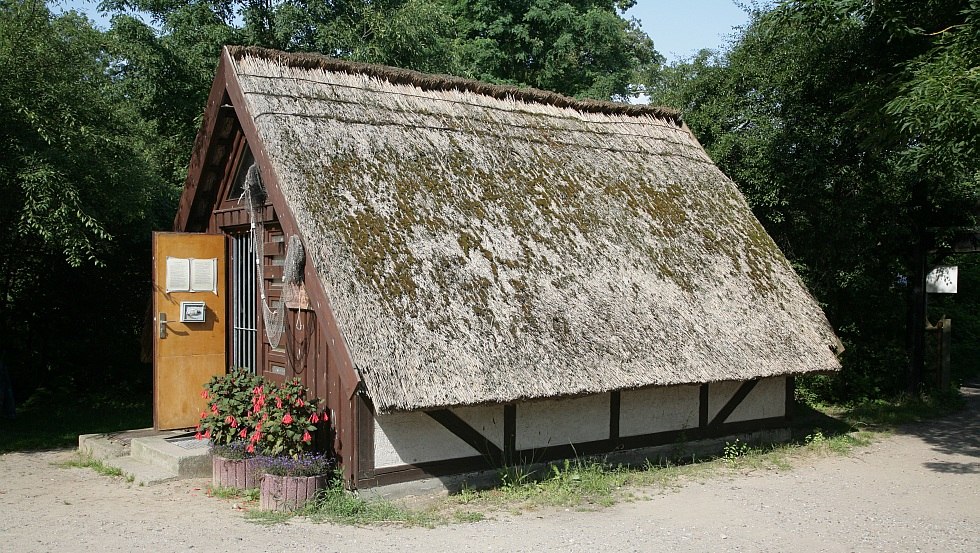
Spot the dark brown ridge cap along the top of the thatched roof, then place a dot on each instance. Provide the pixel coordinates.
(426, 81)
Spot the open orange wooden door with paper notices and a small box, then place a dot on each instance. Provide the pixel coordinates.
(186, 354)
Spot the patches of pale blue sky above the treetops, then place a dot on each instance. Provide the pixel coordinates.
(679, 28)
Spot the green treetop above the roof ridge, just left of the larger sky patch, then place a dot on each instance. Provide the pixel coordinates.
(580, 48)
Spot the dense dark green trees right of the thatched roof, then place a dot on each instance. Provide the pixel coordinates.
(851, 126)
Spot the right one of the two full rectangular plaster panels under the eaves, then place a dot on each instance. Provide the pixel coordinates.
(650, 410)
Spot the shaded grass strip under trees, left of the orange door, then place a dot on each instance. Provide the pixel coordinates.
(54, 420)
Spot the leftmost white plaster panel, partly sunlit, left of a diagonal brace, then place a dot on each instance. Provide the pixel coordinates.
(411, 438)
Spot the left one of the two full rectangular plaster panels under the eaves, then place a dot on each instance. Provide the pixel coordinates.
(562, 422)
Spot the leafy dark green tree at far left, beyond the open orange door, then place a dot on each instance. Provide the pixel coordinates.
(79, 192)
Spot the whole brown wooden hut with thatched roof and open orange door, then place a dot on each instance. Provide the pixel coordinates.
(491, 274)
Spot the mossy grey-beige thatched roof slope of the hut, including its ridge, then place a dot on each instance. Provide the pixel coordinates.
(487, 244)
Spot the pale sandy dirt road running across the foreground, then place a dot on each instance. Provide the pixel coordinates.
(918, 490)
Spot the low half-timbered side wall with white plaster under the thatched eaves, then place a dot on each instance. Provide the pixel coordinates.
(408, 446)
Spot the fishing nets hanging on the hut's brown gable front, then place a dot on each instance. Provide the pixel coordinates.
(274, 316)
